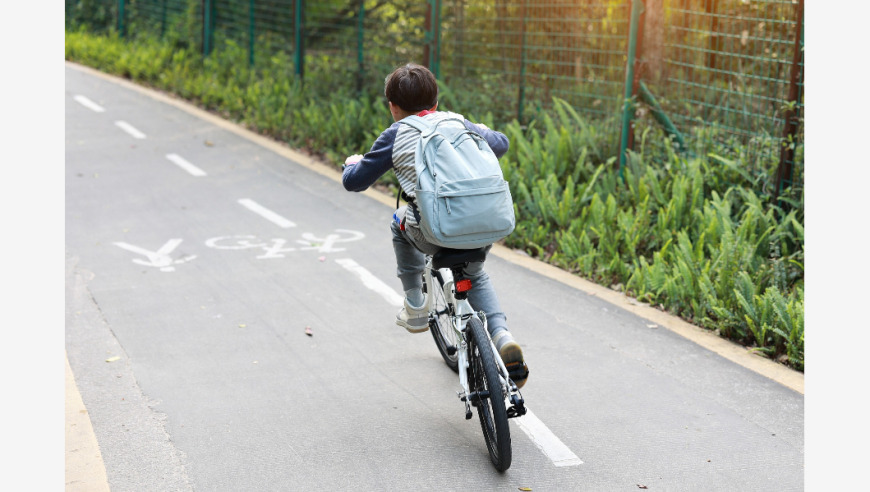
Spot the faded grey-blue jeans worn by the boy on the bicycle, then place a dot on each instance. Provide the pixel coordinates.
(410, 251)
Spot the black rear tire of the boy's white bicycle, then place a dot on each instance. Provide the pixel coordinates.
(483, 376)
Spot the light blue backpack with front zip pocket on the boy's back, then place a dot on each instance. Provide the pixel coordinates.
(463, 199)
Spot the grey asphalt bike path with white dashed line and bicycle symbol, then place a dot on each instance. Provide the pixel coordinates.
(230, 326)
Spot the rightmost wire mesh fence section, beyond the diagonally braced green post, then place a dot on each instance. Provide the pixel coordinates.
(736, 66)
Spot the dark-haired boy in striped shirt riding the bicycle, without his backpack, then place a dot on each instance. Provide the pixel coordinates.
(413, 90)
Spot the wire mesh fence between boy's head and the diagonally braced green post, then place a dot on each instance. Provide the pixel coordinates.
(524, 53)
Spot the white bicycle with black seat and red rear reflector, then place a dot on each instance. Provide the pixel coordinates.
(465, 344)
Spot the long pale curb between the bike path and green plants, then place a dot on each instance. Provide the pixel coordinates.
(735, 353)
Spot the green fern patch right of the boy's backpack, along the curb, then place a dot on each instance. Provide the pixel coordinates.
(699, 236)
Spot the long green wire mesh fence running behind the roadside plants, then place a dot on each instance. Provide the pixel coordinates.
(734, 67)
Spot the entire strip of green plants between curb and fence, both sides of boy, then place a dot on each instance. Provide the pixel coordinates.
(699, 234)
